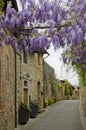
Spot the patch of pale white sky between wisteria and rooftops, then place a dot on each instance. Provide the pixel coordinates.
(55, 61)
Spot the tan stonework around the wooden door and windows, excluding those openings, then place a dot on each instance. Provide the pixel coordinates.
(32, 72)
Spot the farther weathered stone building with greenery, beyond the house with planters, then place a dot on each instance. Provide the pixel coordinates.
(51, 89)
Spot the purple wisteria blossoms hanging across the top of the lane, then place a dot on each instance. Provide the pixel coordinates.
(41, 23)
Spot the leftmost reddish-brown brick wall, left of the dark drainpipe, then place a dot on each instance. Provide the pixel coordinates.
(6, 89)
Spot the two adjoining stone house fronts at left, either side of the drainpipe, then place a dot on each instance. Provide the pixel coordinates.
(19, 81)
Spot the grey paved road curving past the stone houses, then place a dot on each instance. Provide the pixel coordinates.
(64, 115)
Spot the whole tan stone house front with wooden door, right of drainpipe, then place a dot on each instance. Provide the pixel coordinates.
(28, 76)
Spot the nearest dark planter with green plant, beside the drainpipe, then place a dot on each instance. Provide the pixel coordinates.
(24, 113)
